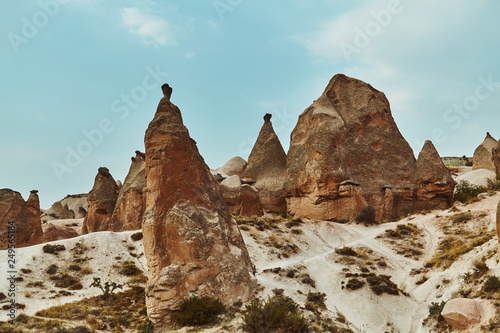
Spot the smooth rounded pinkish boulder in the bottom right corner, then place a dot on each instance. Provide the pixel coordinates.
(462, 313)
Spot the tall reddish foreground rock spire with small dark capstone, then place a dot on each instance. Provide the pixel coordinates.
(192, 244)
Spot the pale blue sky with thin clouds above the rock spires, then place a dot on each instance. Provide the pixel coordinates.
(80, 79)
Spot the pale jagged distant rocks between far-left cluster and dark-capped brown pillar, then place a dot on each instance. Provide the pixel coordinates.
(71, 207)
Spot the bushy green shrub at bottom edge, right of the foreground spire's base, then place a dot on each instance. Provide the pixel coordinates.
(277, 314)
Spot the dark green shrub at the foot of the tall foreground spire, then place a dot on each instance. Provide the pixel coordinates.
(196, 311)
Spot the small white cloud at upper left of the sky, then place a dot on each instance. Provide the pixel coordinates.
(153, 30)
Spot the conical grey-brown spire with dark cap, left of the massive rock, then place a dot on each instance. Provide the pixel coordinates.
(267, 165)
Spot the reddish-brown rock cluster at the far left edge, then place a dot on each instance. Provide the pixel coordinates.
(26, 218)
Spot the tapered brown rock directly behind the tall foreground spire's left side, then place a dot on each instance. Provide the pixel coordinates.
(130, 205)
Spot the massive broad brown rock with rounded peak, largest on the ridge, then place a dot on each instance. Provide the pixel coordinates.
(348, 133)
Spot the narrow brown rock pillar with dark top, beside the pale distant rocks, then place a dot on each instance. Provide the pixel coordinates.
(101, 202)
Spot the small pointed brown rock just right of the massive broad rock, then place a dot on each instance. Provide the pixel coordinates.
(434, 182)
